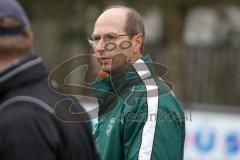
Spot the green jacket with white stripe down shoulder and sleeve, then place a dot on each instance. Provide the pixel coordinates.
(139, 116)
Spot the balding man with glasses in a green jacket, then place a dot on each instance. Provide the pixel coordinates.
(139, 116)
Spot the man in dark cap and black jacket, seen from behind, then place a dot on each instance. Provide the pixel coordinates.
(29, 128)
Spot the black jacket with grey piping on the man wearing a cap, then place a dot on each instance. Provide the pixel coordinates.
(29, 129)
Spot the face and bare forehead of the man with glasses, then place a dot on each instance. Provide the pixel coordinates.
(114, 52)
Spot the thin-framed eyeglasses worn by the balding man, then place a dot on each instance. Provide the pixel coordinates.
(93, 40)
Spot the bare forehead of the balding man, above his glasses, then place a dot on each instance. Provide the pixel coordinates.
(111, 21)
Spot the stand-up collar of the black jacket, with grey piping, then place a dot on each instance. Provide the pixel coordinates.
(27, 69)
